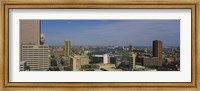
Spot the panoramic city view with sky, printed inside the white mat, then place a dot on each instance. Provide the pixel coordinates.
(37, 55)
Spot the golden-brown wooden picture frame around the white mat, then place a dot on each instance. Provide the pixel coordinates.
(193, 85)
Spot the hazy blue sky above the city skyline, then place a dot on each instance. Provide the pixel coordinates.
(111, 32)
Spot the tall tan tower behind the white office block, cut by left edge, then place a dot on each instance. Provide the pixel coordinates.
(29, 33)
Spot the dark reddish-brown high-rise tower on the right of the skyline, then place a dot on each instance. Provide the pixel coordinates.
(157, 50)
